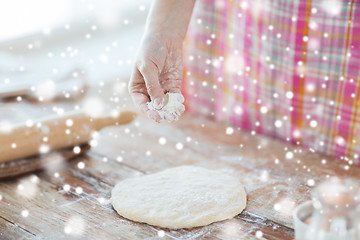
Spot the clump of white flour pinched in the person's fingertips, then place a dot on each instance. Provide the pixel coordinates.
(172, 109)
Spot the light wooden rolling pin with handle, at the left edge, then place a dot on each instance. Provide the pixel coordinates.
(54, 133)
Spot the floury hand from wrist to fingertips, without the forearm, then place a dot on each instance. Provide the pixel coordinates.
(158, 70)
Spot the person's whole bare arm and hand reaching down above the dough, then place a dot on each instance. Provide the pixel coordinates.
(158, 66)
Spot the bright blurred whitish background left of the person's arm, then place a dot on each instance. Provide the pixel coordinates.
(43, 40)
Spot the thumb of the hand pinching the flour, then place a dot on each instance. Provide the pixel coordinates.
(150, 74)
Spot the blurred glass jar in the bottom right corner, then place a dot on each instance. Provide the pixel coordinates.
(336, 213)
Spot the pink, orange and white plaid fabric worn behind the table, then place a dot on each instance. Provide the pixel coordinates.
(289, 69)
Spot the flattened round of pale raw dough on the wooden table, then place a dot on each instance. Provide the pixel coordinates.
(181, 197)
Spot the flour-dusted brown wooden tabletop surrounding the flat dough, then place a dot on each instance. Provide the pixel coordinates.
(71, 200)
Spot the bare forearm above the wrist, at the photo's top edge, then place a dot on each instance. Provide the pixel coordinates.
(170, 16)
